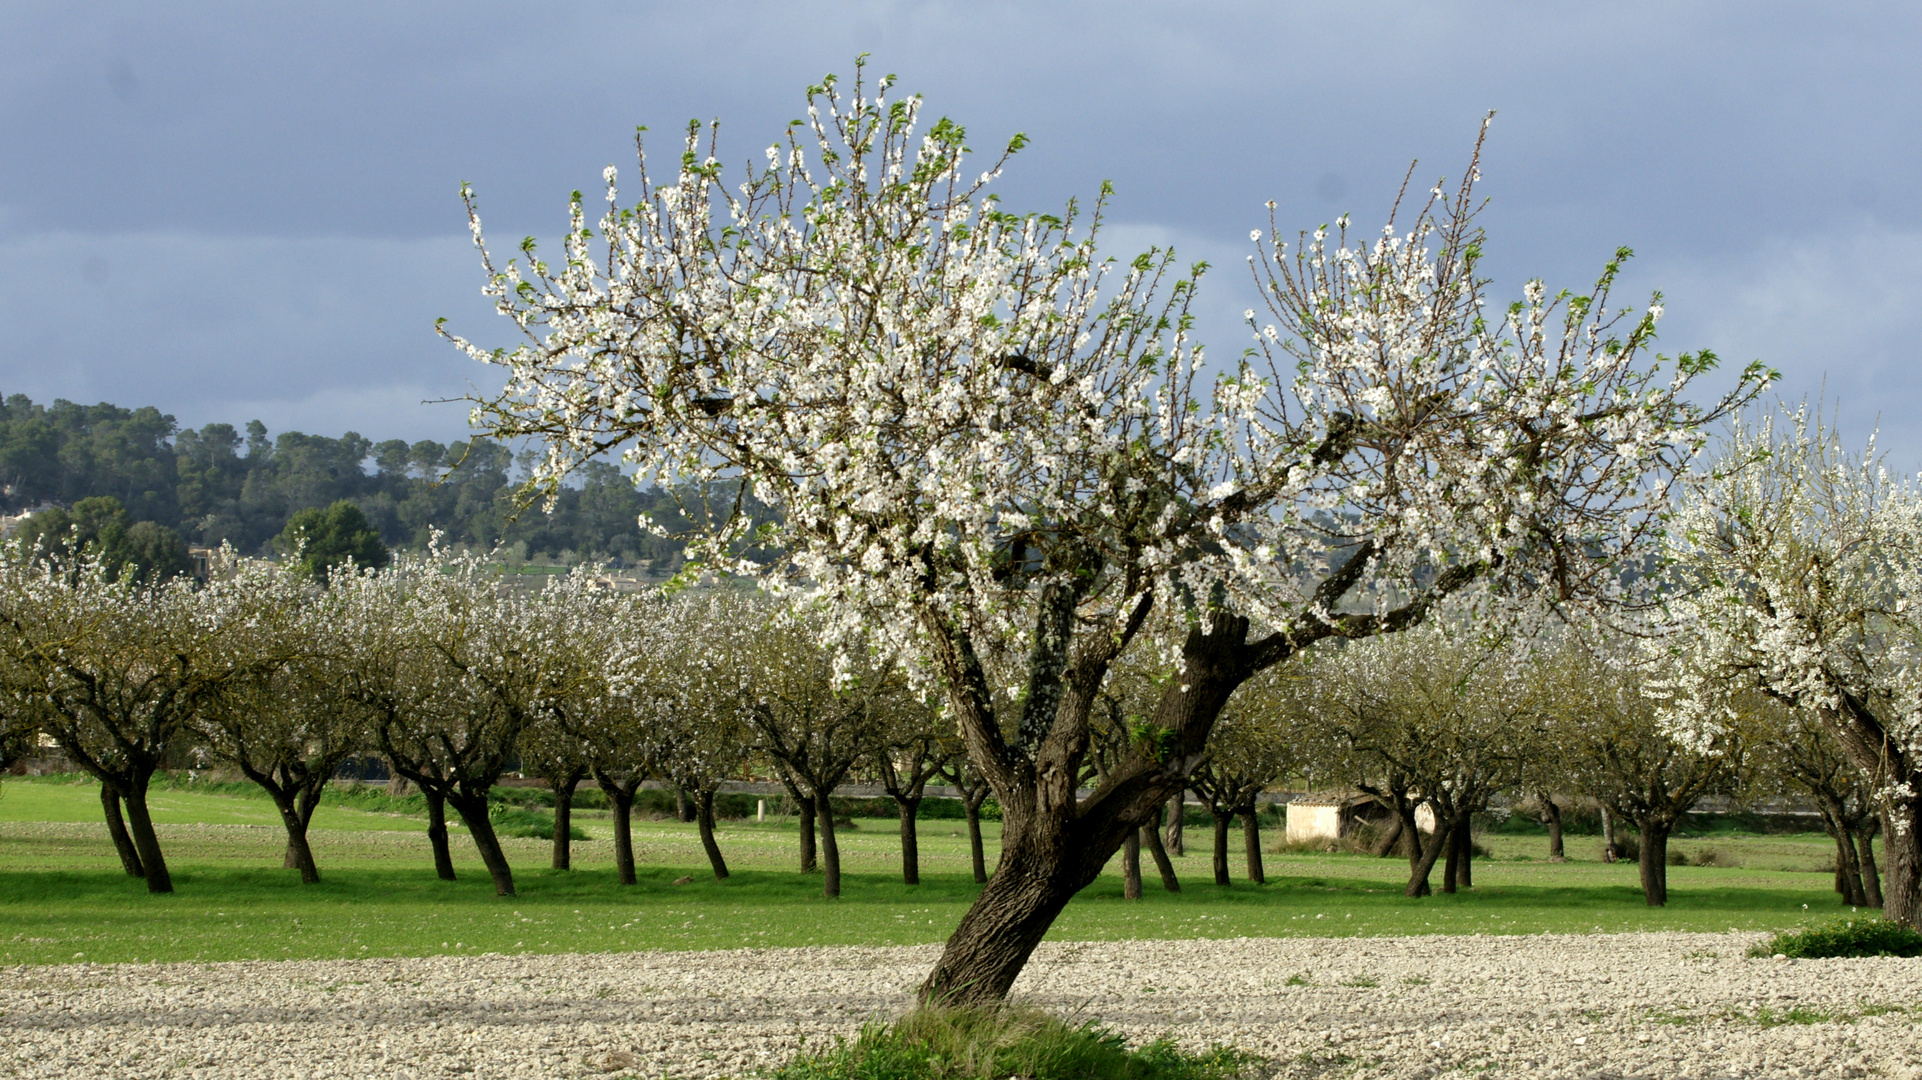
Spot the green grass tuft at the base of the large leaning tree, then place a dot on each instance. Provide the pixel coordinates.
(997, 1043)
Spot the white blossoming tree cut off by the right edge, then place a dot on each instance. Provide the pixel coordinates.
(1804, 579)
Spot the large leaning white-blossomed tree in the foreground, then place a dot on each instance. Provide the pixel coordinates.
(998, 453)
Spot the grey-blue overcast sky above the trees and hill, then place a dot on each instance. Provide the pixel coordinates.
(249, 210)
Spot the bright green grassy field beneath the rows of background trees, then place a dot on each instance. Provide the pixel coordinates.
(64, 898)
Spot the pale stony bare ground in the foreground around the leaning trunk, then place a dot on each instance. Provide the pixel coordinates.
(1546, 1006)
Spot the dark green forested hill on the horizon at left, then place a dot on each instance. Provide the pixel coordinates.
(220, 483)
